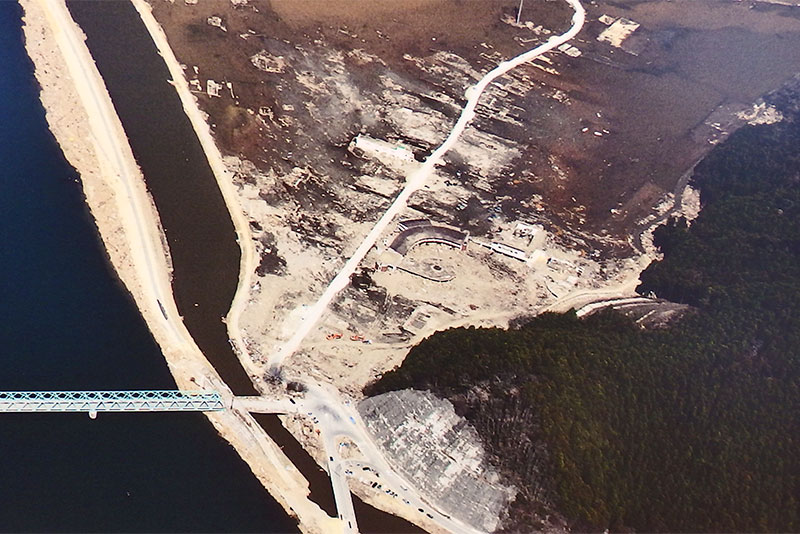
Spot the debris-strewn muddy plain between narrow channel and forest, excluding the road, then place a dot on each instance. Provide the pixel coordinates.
(586, 146)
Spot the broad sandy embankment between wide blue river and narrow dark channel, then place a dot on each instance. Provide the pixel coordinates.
(83, 121)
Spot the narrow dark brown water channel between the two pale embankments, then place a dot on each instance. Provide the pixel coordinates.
(199, 231)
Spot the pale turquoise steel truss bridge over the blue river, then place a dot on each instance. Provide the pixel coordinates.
(93, 402)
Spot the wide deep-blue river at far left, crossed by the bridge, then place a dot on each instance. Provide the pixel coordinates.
(67, 323)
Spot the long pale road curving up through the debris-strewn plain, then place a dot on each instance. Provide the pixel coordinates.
(416, 181)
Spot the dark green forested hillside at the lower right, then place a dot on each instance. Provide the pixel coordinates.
(692, 428)
